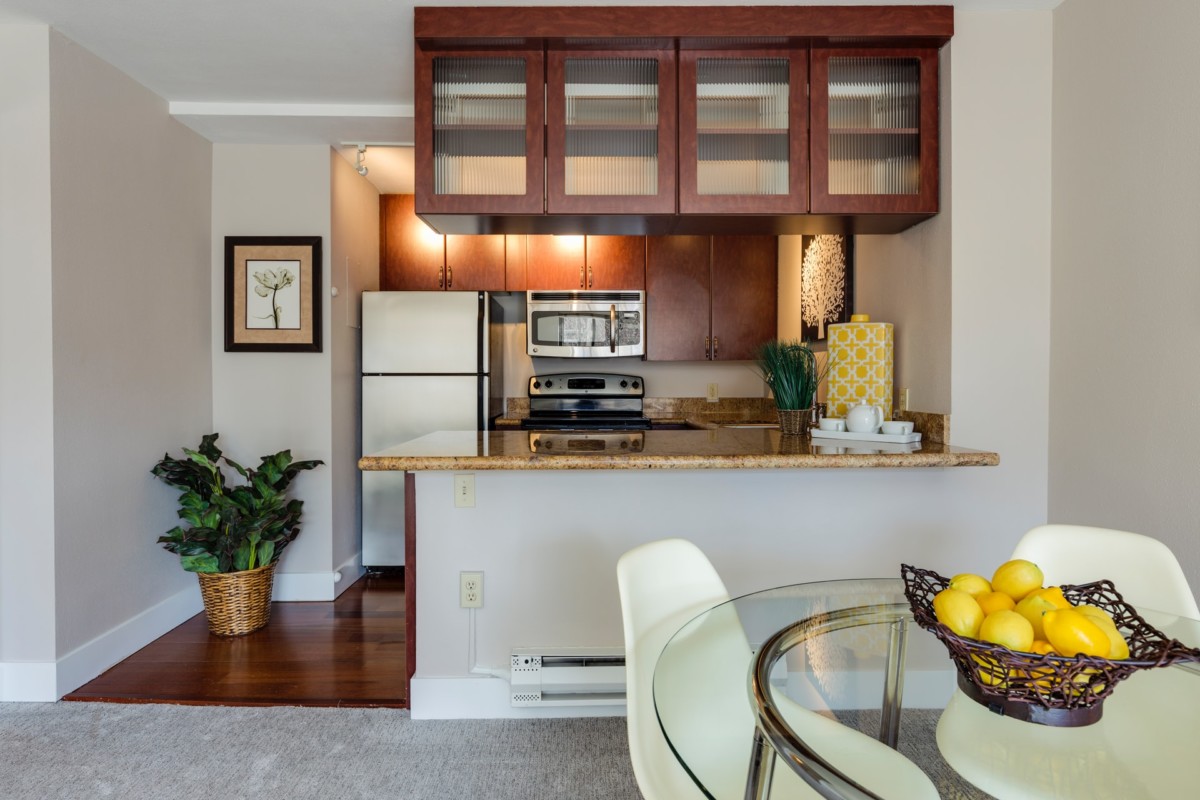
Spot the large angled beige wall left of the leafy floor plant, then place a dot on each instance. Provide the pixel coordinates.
(131, 334)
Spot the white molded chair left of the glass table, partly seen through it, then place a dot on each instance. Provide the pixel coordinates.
(665, 585)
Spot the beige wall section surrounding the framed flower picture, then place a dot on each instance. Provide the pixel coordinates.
(265, 402)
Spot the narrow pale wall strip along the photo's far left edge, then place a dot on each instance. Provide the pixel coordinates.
(27, 381)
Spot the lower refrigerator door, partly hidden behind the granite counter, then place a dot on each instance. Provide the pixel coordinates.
(395, 410)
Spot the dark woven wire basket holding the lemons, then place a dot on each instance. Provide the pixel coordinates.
(1046, 689)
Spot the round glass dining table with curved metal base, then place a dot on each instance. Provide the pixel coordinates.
(758, 695)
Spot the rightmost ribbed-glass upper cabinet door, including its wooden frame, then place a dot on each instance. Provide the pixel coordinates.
(874, 131)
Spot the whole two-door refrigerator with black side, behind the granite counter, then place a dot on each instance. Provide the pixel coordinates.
(431, 362)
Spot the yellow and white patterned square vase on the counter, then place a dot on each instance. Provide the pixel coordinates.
(861, 354)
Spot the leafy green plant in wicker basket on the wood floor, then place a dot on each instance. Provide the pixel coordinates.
(236, 533)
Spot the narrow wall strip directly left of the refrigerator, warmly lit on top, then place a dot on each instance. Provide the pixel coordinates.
(355, 268)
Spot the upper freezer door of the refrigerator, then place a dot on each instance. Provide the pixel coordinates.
(424, 333)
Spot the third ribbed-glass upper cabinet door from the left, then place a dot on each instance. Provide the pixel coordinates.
(743, 131)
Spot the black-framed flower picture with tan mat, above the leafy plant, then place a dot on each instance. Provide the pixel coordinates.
(273, 292)
